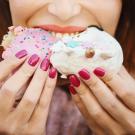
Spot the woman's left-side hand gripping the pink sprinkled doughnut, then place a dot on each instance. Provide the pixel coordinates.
(30, 115)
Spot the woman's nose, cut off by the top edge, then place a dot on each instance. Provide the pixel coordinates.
(64, 9)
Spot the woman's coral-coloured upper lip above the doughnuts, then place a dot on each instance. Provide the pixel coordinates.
(60, 29)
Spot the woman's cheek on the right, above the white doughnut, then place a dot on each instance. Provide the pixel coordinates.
(109, 14)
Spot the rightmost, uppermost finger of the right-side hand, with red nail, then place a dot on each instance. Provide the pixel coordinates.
(123, 85)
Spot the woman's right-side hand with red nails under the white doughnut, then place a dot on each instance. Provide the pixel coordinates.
(106, 100)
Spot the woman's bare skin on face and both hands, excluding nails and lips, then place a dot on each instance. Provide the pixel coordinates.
(105, 112)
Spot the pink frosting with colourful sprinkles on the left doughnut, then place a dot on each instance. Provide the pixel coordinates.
(34, 40)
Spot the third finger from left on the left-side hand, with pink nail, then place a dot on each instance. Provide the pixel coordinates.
(33, 92)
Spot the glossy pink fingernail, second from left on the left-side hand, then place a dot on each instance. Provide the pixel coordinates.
(33, 60)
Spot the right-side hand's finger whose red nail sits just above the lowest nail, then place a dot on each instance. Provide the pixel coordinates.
(94, 108)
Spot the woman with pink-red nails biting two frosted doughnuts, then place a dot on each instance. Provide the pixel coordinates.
(106, 100)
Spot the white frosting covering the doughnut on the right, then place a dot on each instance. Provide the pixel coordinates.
(68, 59)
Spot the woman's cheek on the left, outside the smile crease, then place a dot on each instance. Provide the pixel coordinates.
(21, 10)
